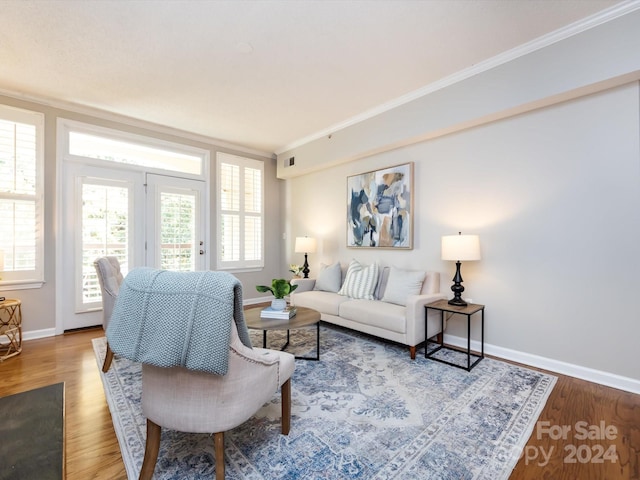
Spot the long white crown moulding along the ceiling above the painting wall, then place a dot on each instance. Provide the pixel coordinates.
(607, 15)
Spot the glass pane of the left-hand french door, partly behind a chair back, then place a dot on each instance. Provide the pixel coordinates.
(105, 231)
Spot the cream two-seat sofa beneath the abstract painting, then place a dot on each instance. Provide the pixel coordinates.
(395, 311)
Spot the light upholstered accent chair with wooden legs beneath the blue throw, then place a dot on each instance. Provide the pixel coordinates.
(201, 402)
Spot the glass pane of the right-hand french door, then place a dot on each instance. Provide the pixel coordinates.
(177, 231)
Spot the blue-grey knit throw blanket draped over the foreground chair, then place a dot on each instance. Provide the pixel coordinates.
(171, 319)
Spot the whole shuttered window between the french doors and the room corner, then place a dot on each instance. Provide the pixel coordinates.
(240, 187)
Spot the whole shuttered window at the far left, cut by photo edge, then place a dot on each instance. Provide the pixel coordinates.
(21, 198)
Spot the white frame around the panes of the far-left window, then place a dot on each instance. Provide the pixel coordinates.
(26, 279)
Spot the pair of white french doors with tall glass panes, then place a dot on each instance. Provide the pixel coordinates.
(142, 219)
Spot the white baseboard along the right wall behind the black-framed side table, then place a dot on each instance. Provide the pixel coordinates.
(596, 376)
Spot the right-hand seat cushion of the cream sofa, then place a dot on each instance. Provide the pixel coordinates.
(376, 314)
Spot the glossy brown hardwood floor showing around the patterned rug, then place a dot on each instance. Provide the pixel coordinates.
(580, 408)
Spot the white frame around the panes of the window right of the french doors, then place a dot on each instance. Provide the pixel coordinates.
(240, 265)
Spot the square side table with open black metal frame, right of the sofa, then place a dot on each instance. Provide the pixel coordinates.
(443, 306)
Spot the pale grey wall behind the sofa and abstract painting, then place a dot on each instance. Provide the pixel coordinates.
(554, 195)
